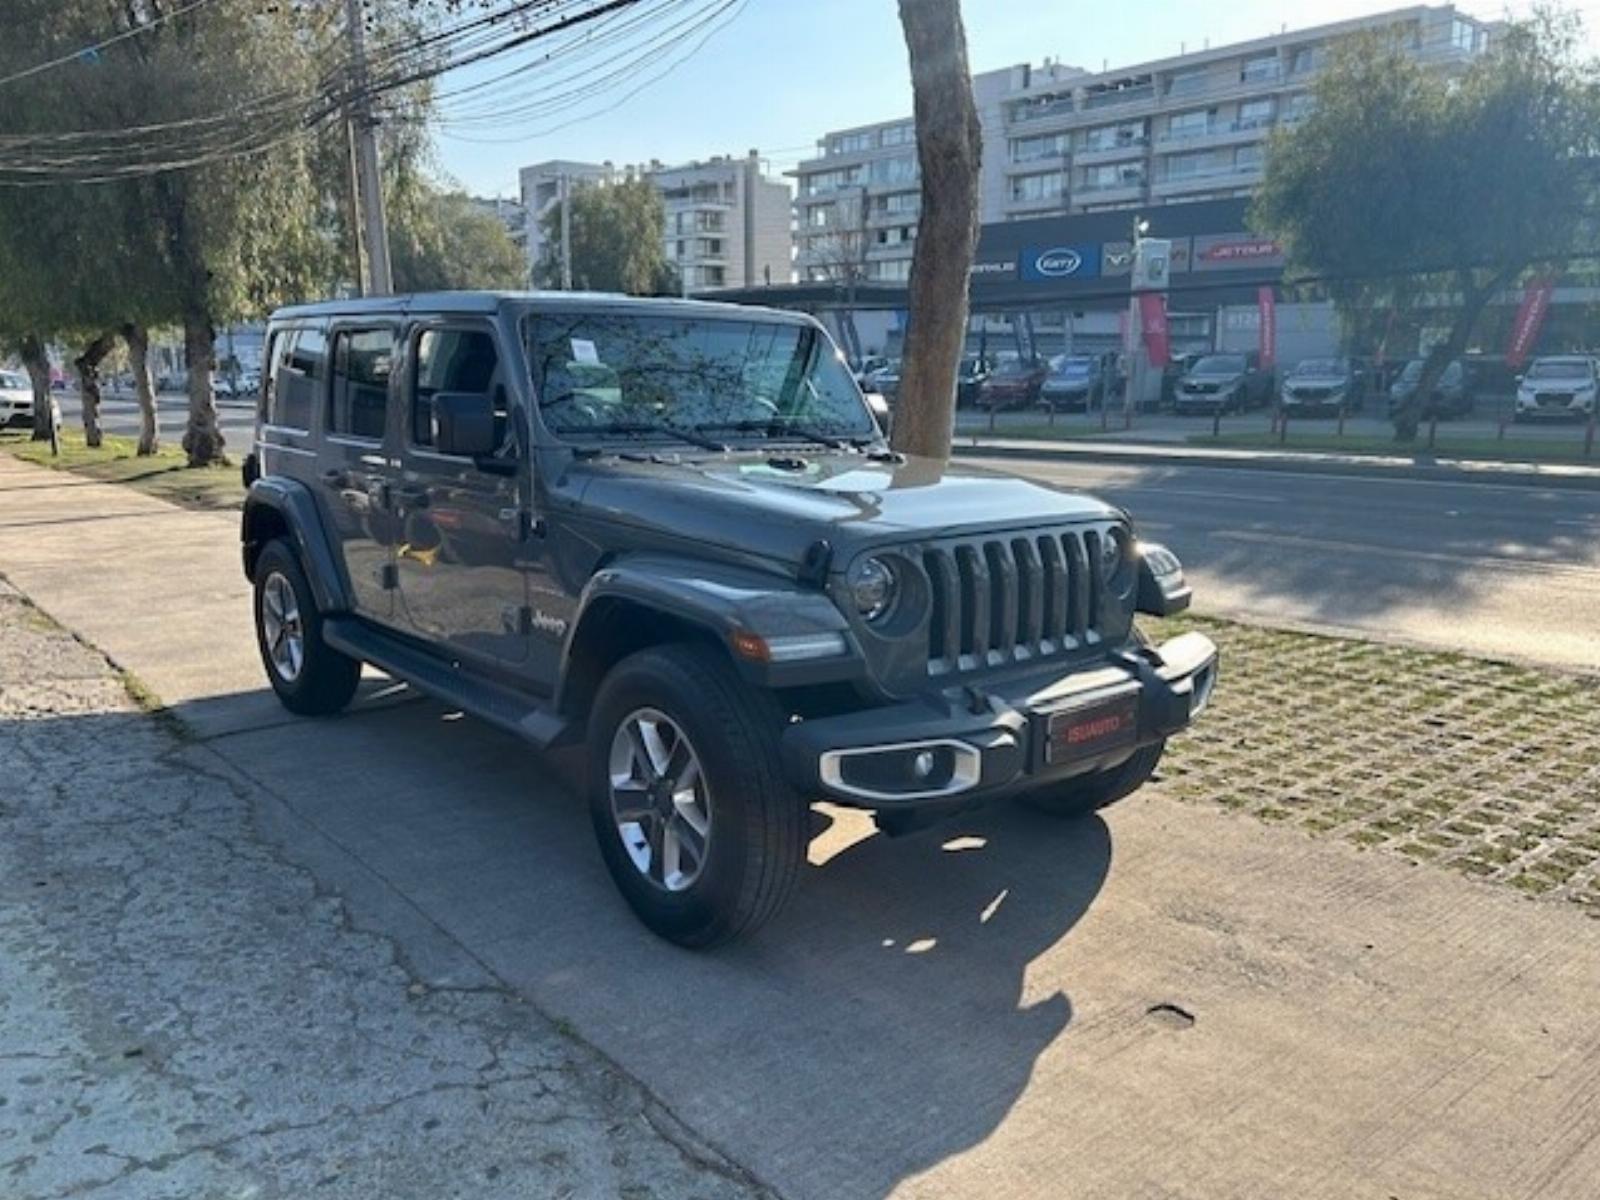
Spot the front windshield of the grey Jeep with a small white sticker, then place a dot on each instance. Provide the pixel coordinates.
(599, 374)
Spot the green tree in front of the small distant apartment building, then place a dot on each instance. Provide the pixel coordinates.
(617, 234)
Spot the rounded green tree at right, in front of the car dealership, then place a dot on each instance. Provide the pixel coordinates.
(1410, 188)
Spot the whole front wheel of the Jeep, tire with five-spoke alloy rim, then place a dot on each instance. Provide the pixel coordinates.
(698, 828)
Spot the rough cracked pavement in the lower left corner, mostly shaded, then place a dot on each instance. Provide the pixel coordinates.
(185, 1012)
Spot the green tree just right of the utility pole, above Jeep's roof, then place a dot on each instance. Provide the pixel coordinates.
(439, 241)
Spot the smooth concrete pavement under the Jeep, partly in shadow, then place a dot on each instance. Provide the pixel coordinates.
(1170, 1002)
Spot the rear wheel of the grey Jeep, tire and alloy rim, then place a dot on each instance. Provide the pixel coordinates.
(310, 678)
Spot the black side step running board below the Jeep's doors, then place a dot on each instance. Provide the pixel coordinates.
(500, 706)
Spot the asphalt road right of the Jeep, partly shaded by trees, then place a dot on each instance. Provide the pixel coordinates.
(1498, 570)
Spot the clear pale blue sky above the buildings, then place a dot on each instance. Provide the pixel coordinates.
(786, 71)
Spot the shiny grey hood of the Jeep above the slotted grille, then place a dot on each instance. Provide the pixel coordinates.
(775, 506)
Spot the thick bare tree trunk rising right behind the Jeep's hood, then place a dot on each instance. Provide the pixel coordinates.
(950, 146)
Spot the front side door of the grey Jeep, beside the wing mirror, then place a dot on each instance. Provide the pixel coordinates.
(458, 545)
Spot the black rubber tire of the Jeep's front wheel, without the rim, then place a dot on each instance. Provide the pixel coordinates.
(758, 825)
